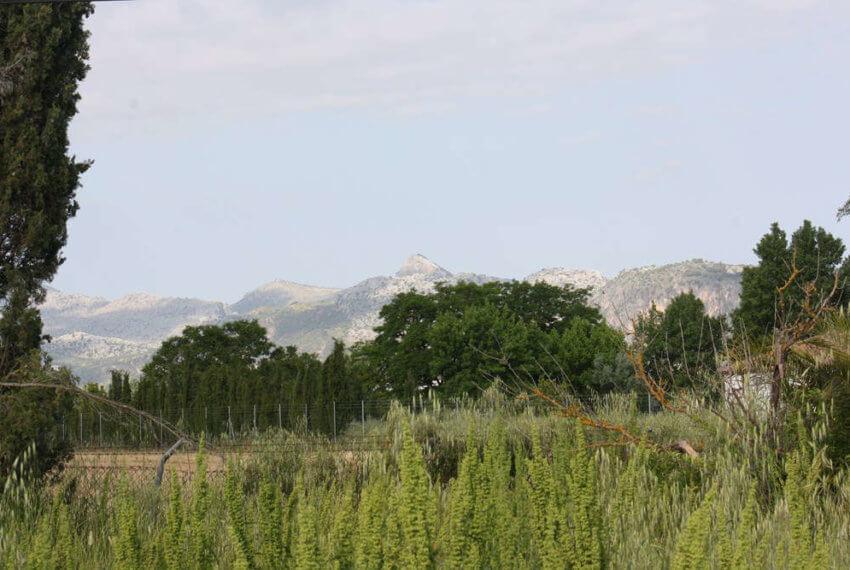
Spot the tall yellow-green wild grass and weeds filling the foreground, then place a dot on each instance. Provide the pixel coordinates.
(485, 485)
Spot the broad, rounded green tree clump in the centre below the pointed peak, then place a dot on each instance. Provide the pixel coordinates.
(462, 337)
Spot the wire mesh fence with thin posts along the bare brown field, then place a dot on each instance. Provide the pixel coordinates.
(110, 444)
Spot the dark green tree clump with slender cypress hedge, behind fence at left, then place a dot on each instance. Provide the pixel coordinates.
(198, 377)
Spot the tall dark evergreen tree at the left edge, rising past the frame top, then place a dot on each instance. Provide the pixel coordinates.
(43, 49)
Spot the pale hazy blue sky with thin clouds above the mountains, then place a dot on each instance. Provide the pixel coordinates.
(324, 141)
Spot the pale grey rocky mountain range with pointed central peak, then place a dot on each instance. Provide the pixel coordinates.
(93, 335)
